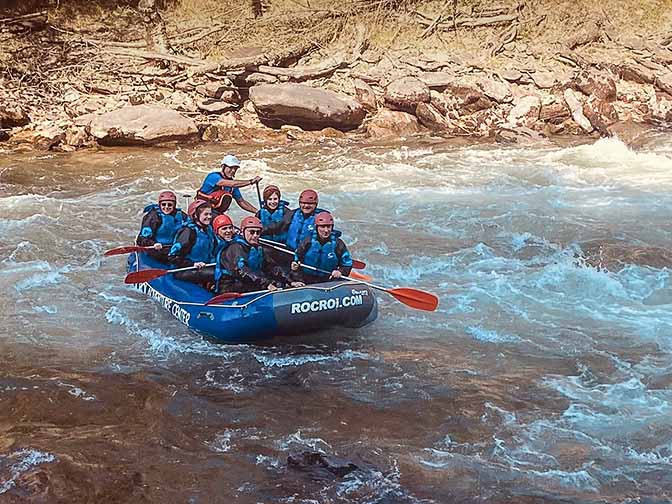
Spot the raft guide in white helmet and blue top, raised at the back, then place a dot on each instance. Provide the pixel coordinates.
(219, 188)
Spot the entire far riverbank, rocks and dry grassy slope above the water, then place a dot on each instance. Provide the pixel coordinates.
(79, 74)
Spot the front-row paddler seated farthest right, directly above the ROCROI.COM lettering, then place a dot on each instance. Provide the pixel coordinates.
(323, 250)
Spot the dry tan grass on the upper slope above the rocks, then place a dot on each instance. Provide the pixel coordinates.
(392, 25)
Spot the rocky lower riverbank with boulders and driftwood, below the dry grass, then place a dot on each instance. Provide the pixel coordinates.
(64, 90)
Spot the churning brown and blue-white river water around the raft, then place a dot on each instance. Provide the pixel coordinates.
(539, 379)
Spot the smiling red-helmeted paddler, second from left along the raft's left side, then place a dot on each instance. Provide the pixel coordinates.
(195, 245)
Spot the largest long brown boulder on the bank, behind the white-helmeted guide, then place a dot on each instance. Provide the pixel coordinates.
(304, 106)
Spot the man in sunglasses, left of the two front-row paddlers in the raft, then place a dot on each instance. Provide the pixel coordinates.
(241, 266)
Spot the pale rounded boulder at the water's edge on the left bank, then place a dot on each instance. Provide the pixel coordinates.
(142, 124)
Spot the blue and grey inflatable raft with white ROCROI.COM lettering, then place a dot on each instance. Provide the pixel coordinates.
(262, 315)
